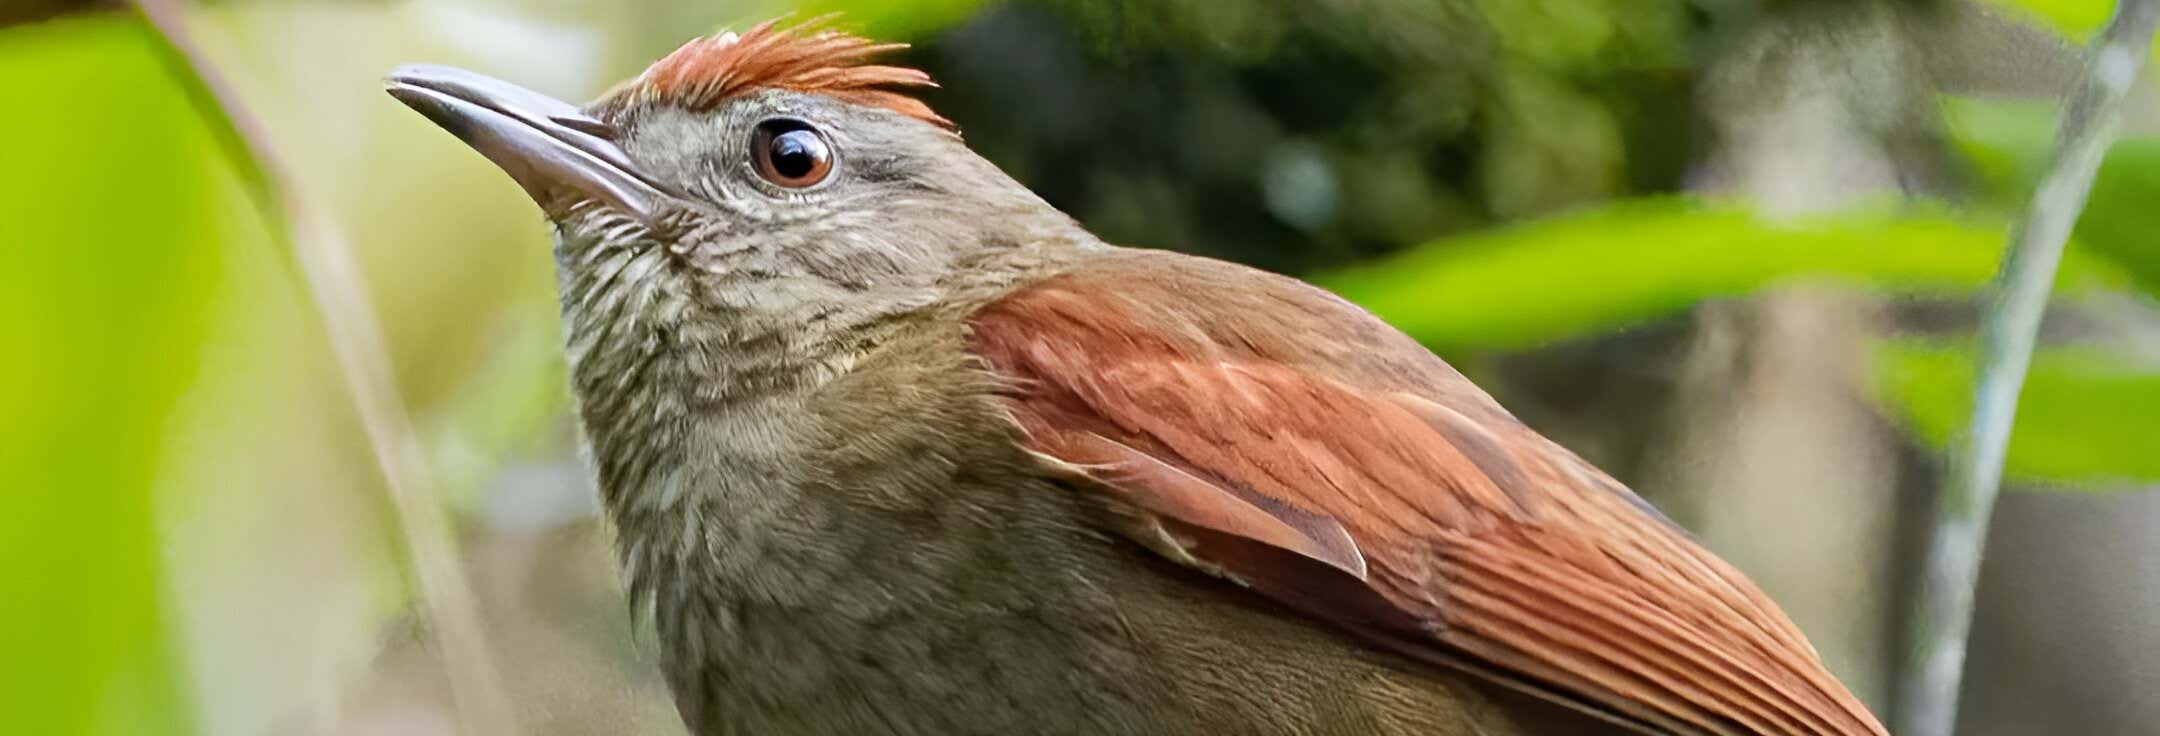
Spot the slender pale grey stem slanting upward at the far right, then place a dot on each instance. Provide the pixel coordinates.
(2010, 327)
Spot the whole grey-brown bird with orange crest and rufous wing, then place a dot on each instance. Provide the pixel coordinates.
(895, 448)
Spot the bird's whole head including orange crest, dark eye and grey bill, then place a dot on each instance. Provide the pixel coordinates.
(748, 176)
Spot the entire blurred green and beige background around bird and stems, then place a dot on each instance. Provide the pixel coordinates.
(1727, 249)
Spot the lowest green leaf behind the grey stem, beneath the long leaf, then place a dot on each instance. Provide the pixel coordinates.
(2083, 420)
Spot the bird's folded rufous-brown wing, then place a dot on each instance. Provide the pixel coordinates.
(1284, 439)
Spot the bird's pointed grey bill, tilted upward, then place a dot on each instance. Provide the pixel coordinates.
(552, 148)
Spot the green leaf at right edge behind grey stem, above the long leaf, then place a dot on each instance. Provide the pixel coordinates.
(2008, 146)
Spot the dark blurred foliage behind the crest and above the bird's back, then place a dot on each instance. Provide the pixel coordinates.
(1301, 137)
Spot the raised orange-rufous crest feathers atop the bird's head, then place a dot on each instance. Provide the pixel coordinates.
(807, 59)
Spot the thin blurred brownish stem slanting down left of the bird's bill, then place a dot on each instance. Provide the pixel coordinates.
(336, 284)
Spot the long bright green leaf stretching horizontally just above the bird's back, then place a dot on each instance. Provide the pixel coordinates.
(1628, 264)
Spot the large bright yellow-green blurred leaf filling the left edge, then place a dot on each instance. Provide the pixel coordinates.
(120, 213)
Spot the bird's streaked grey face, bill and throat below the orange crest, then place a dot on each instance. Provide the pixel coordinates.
(714, 234)
